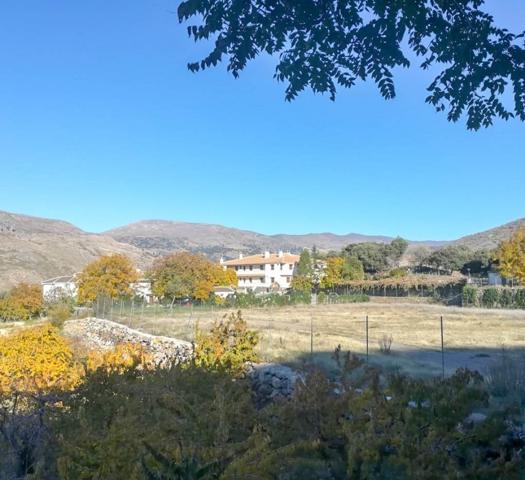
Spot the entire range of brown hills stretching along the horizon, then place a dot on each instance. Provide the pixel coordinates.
(33, 248)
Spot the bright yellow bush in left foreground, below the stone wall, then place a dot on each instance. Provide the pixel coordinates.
(37, 360)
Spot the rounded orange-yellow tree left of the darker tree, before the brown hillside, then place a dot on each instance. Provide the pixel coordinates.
(109, 276)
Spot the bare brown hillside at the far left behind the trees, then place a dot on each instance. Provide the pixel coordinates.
(32, 249)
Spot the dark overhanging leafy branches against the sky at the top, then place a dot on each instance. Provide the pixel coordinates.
(325, 44)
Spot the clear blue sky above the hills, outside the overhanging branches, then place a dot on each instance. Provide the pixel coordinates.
(101, 124)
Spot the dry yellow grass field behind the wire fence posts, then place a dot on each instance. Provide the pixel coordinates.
(472, 337)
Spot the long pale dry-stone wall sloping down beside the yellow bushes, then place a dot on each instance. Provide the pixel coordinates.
(97, 333)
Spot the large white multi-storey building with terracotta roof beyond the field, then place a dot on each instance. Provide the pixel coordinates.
(264, 272)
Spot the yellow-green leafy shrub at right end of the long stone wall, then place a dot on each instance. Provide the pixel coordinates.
(228, 346)
